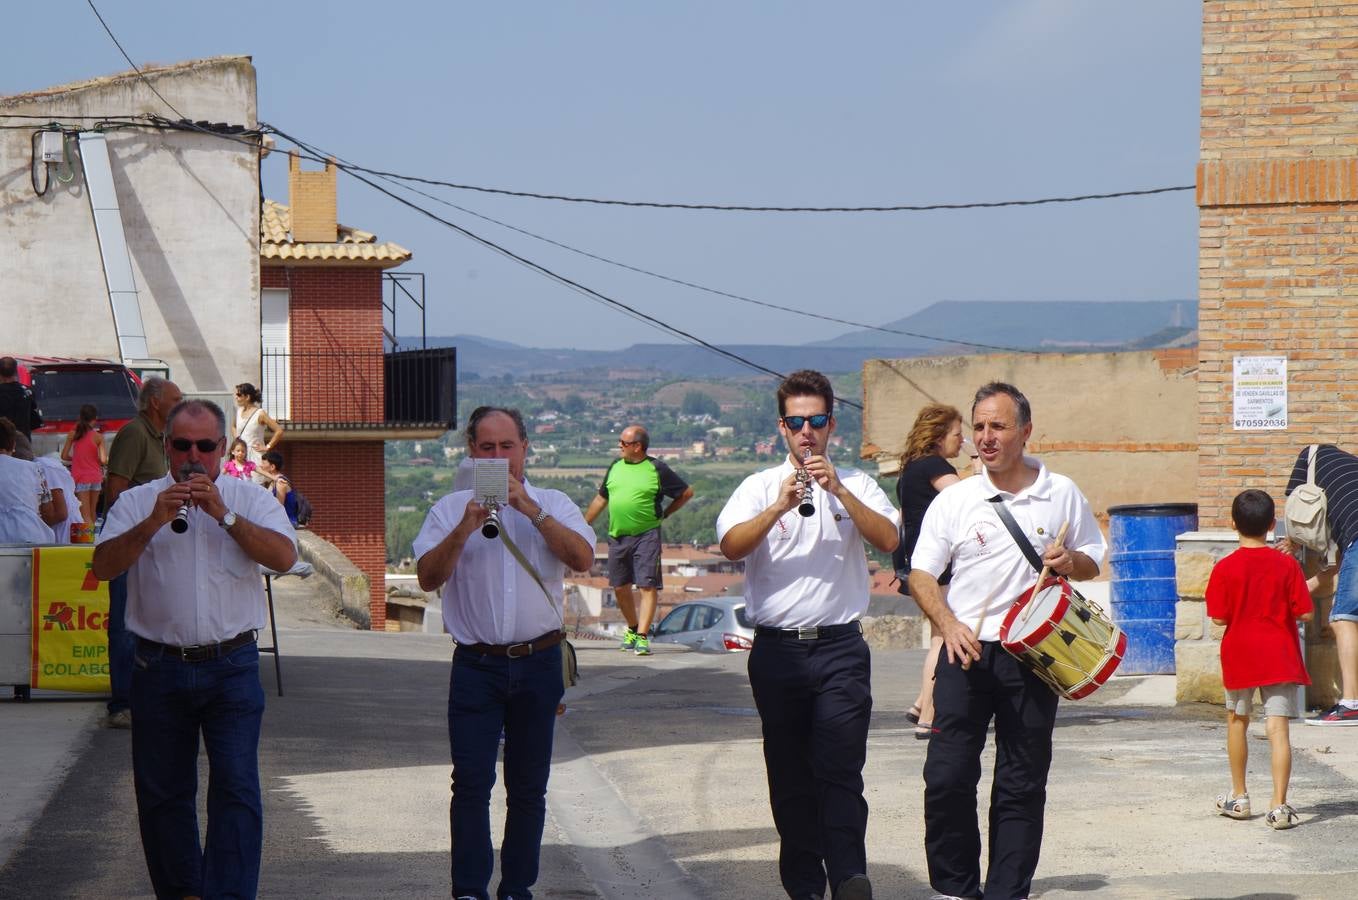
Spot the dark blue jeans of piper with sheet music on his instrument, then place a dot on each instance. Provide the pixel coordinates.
(488, 694)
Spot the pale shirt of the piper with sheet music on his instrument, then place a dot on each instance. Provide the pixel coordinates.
(490, 598)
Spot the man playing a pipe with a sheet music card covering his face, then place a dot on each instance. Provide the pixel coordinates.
(507, 667)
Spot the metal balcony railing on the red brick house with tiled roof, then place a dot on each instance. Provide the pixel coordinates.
(362, 390)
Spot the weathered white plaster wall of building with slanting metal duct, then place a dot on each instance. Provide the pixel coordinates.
(191, 208)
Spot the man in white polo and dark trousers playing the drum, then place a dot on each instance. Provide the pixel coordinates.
(977, 681)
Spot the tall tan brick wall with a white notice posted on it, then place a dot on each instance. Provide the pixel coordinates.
(1279, 229)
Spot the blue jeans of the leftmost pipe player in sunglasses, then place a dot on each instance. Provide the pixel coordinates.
(172, 702)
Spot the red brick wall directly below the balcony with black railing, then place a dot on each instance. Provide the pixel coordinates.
(346, 484)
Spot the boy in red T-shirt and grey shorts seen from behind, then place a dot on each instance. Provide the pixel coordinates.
(1260, 595)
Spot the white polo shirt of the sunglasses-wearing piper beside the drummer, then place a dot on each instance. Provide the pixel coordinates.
(807, 571)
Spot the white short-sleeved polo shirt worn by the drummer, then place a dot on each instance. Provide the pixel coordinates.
(989, 571)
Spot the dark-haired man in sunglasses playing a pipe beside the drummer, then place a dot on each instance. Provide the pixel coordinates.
(810, 670)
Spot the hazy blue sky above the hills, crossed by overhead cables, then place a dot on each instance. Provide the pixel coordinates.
(753, 104)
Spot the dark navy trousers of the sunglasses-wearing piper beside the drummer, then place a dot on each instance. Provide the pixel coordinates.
(815, 702)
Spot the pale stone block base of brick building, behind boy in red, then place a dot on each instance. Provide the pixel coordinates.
(1198, 641)
